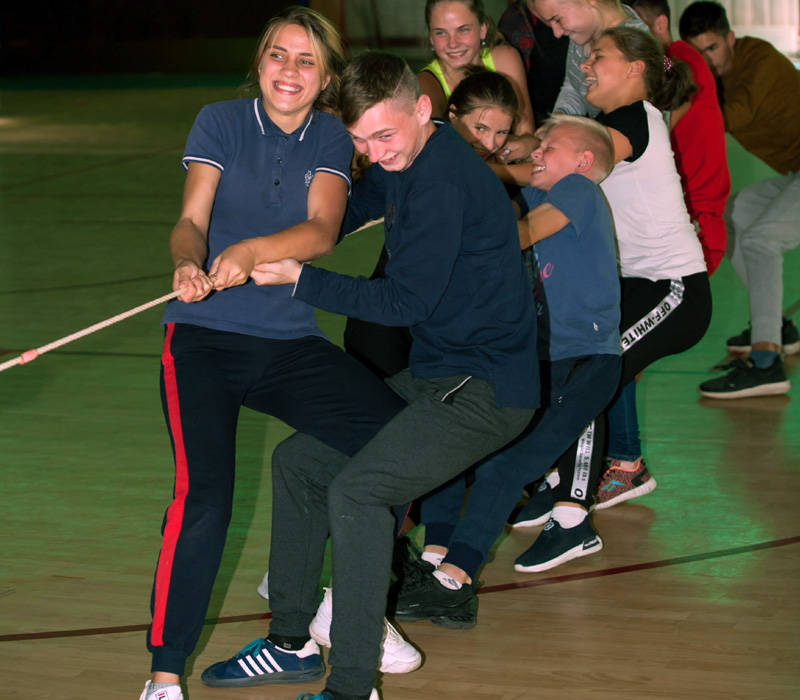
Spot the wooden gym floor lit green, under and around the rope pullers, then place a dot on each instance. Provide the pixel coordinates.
(693, 596)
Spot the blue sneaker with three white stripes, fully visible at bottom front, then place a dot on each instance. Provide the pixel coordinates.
(262, 662)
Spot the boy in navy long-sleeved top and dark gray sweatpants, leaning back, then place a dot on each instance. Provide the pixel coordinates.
(455, 277)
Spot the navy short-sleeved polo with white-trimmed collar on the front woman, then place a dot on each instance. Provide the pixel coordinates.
(263, 189)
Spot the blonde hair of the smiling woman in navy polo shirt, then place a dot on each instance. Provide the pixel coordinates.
(326, 47)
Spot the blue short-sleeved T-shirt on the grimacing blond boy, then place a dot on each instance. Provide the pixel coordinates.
(578, 296)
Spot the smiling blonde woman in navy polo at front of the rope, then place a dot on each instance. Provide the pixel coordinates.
(267, 178)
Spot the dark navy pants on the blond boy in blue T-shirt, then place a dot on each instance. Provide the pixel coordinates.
(580, 388)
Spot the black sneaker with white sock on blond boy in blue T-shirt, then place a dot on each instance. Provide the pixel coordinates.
(422, 597)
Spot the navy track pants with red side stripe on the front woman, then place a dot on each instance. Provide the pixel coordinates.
(206, 376)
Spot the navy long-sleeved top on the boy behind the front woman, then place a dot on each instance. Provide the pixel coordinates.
(454, 275)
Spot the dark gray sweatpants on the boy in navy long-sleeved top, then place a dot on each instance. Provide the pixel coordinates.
(449, 424)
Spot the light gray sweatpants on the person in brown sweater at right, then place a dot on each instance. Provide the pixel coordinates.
(763, 223)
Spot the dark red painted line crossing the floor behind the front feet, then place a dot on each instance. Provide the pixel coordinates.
(550, 580)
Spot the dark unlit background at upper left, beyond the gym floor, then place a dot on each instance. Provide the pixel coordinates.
(109, 36)
